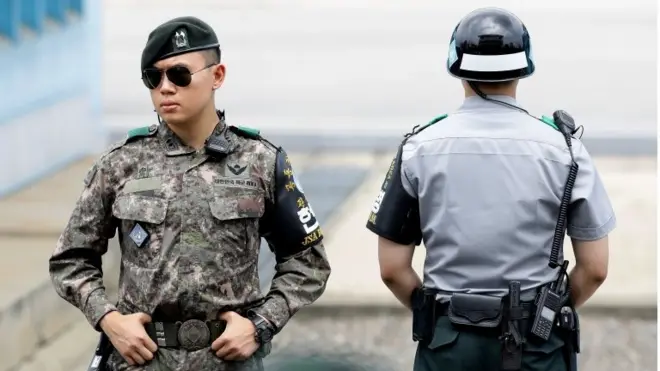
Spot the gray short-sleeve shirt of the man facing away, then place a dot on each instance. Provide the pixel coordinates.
(489, 181)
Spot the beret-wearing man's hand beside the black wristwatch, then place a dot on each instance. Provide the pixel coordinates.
(238, 342)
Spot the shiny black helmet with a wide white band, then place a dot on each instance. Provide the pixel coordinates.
(490, 45)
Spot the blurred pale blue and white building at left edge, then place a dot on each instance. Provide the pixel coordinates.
(50, 76)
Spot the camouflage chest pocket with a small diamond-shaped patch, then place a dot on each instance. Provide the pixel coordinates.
(149, 213)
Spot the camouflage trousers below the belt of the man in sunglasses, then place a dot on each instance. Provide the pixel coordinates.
(182, 360)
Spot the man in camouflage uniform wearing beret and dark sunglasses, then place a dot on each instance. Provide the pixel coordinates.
(191, 199)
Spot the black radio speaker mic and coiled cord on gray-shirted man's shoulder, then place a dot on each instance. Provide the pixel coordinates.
(565, 124)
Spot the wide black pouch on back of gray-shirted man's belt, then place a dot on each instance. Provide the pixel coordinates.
(476, 310)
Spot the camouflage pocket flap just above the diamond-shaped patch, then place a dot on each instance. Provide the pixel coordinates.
(147, 209)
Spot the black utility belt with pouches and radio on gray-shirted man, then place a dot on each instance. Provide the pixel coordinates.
(507, 318)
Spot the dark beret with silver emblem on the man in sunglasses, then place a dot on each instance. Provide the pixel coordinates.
(178, 36)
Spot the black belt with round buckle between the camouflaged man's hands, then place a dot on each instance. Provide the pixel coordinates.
(191, 335)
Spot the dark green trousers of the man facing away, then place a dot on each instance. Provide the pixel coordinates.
(453, 349)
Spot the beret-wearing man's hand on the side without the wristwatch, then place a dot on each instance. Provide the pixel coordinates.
(127, 334)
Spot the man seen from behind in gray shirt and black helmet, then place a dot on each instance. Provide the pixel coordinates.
(483, 187)
